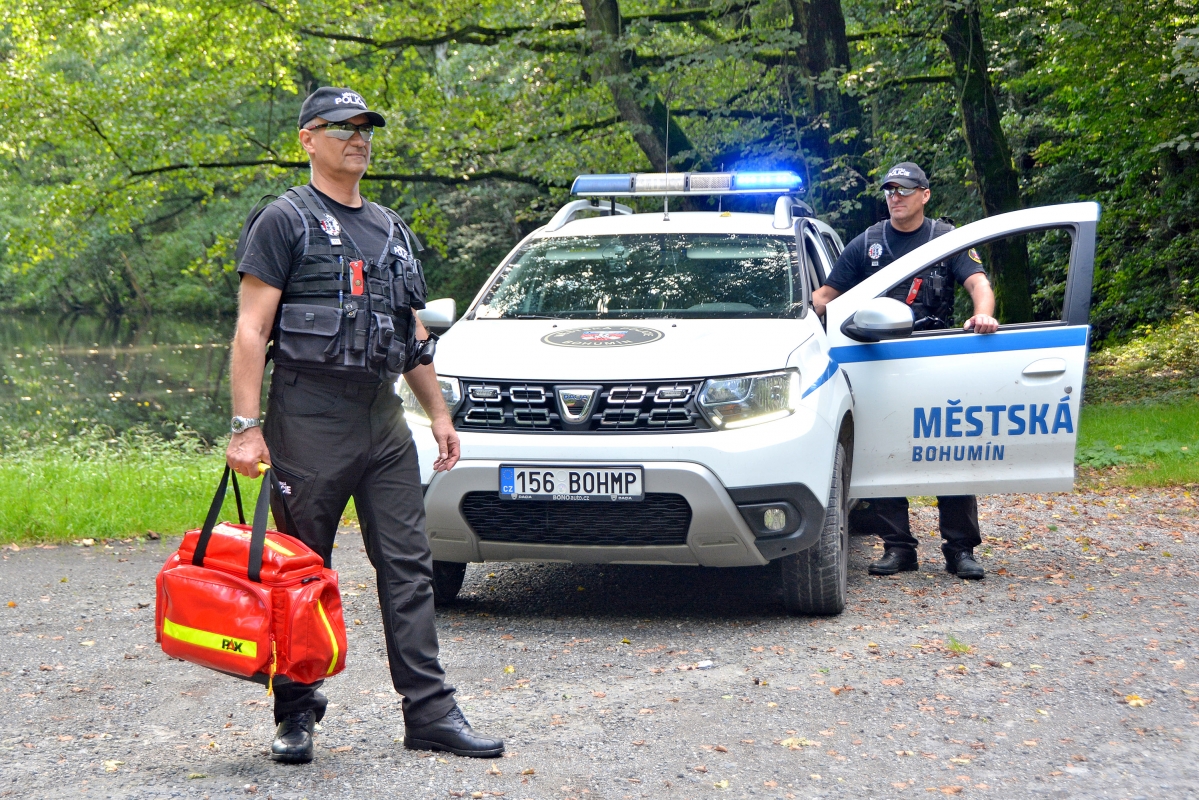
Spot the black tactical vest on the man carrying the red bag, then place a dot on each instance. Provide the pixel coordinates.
(344, 310)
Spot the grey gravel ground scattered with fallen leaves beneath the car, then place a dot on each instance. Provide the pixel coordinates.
(1069, 672)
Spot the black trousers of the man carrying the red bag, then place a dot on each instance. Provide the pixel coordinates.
(333, 440)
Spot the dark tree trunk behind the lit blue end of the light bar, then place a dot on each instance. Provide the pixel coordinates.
(839, 139)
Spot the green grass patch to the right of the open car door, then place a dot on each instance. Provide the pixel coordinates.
(1142, 444)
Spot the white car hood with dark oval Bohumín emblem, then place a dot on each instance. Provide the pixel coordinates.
(618, 350)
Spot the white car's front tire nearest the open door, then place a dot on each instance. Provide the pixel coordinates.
(816, 580)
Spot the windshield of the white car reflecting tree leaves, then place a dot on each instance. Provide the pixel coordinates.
(648, 275)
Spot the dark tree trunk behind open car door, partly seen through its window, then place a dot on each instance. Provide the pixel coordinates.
(992, 159)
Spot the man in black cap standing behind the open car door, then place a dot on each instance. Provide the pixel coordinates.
(931, 297)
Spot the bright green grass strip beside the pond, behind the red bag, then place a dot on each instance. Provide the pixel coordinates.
(100, 486)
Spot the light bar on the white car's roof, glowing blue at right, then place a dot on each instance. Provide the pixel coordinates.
(671, 184)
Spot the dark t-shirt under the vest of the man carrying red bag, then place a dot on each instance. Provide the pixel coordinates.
(276, 242)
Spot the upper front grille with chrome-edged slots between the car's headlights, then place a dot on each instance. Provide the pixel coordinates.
(618, 408)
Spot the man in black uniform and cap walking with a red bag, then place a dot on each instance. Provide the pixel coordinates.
(333, 282)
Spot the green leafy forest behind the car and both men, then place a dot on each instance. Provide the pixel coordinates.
(138, 134)
